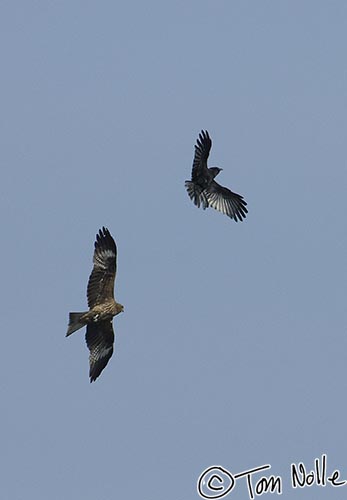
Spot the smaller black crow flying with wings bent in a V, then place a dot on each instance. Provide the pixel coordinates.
(205, 191)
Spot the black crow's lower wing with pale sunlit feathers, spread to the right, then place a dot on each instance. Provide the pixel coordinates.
(227, 202)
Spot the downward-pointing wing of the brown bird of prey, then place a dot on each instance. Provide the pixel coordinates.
(100, 340)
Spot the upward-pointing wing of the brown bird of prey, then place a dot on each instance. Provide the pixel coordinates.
(101, 281)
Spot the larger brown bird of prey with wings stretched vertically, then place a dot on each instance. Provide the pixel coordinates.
(101, 303)
